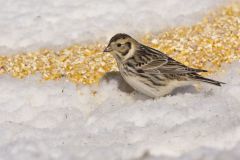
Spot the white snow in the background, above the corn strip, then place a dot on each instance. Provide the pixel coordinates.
(31, 24)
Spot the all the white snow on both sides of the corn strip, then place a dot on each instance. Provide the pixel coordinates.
(58, 120)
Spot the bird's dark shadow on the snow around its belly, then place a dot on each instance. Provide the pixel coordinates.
(124, 87)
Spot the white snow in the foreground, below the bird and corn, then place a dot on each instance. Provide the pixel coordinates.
(51, 120)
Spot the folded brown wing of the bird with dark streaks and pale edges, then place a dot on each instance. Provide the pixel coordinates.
(159, 62)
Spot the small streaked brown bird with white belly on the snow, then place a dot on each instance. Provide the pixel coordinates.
(150, 71)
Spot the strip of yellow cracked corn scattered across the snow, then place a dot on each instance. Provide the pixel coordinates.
(207, 45)
